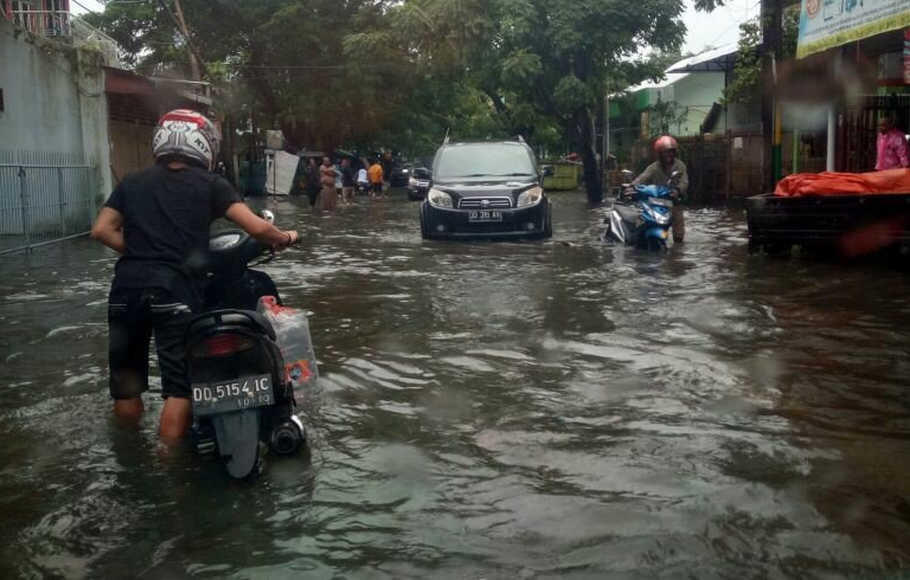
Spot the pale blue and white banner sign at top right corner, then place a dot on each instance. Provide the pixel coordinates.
(824, 24)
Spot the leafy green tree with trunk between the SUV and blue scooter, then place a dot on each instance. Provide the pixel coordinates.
(550, 63)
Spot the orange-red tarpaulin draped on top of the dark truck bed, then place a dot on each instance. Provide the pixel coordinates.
(877, 182)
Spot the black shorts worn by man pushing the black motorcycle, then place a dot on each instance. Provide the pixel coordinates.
(133, 315)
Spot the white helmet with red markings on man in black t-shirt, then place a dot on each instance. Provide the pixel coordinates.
(186, 134)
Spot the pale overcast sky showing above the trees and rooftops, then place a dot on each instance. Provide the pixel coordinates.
(716, 29)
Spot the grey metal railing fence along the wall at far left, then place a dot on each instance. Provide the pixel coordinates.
(44, 198)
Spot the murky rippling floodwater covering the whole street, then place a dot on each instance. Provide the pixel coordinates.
(538, 410)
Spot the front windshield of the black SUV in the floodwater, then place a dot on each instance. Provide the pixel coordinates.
(484, 160)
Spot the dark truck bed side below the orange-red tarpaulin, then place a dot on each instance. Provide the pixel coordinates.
(849, 224)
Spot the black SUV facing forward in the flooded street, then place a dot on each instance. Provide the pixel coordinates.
(486, 190)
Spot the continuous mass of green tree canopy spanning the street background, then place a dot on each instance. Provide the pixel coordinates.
(403, 73)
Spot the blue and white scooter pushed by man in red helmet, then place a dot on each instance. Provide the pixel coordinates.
(642, 216)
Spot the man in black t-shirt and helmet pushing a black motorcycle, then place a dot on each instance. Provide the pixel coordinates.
(158, 220)
